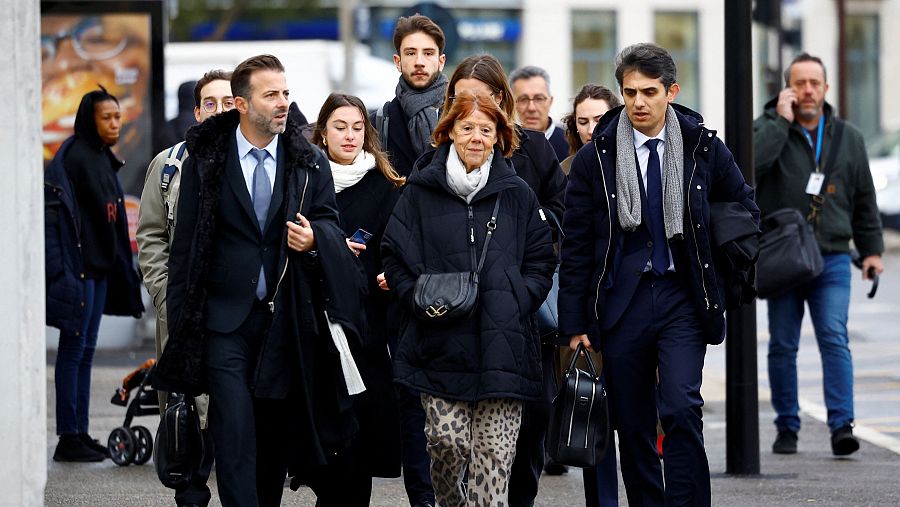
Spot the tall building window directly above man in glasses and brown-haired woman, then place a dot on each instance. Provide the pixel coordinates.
(593, 49)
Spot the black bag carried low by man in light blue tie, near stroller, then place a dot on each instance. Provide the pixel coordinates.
(179, 442)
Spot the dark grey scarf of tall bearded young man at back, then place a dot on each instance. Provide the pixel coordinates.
(421, 107)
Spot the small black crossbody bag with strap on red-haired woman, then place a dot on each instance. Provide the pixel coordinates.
(447, 297)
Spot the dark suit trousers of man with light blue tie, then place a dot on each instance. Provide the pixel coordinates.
(248, 433)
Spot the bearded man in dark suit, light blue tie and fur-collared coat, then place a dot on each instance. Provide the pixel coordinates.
(254, 265)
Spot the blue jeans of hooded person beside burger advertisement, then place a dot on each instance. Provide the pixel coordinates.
(74, 359)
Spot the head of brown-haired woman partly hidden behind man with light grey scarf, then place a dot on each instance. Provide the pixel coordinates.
(589, 105)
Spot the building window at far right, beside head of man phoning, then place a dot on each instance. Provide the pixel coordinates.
(862, 73)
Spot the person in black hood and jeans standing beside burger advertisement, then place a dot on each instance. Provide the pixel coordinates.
(89, 266)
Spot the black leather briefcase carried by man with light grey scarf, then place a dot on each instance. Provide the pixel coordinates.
(579, 424)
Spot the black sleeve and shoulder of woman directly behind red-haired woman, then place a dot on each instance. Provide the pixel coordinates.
(535, 162)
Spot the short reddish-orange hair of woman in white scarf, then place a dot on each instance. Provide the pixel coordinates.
(463, 106)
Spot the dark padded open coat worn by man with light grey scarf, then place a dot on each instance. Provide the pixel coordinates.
(592, 250)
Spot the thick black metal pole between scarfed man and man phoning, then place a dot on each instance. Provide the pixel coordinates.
(741, 395)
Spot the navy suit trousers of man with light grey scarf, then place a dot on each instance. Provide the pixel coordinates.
(659, 331)
